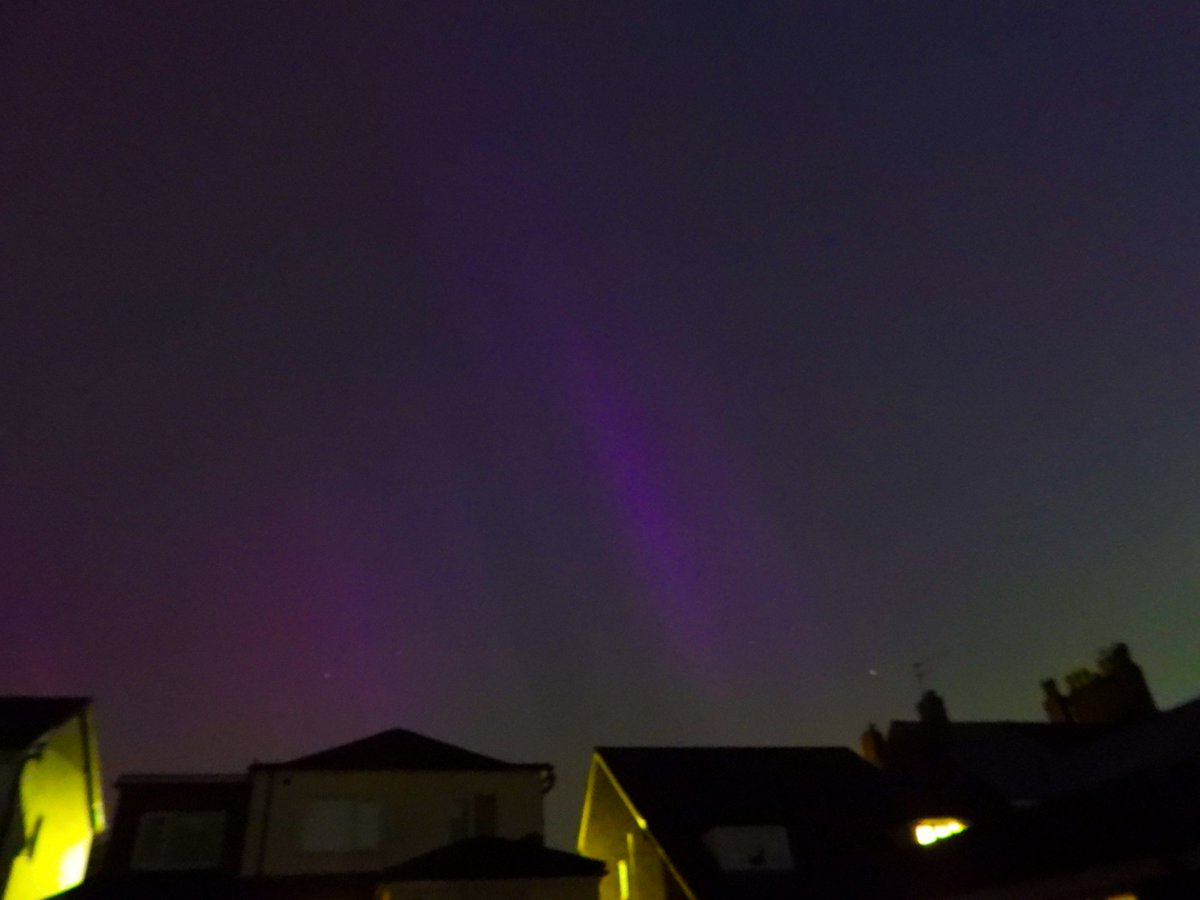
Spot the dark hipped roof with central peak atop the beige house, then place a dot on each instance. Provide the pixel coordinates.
(403, 749)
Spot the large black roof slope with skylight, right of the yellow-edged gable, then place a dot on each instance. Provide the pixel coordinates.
(841, 814)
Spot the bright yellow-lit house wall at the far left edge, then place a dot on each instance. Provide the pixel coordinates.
(58, 814)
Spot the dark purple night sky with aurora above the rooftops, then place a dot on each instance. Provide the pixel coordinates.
(541, 376)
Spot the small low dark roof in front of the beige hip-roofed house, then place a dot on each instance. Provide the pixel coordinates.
(479, 859)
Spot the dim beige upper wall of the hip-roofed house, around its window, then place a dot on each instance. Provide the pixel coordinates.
(417, 811)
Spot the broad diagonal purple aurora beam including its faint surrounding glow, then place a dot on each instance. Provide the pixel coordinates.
(526, 295)
